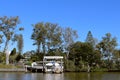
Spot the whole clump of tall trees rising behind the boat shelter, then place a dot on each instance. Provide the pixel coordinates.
(48, 36)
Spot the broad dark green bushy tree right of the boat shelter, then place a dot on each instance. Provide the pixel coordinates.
(83, 54)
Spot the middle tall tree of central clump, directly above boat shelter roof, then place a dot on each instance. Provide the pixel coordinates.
(53, 36)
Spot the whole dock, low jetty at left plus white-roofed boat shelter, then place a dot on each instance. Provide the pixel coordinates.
(52, 64)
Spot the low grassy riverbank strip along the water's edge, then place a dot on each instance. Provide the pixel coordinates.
(20, 68)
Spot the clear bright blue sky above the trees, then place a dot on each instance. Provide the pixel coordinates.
(98, 16)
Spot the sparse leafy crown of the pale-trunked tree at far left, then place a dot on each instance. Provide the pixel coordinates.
(8, 25)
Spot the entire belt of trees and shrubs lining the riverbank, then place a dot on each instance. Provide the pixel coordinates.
(54, 40)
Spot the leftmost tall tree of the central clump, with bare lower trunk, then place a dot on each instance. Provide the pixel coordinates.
(38, 35)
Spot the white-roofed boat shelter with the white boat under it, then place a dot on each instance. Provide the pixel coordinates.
(53, 64)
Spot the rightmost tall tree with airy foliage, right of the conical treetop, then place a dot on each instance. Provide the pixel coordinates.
(107, 45)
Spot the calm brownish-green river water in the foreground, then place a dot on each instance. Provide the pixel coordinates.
(63, 76)
